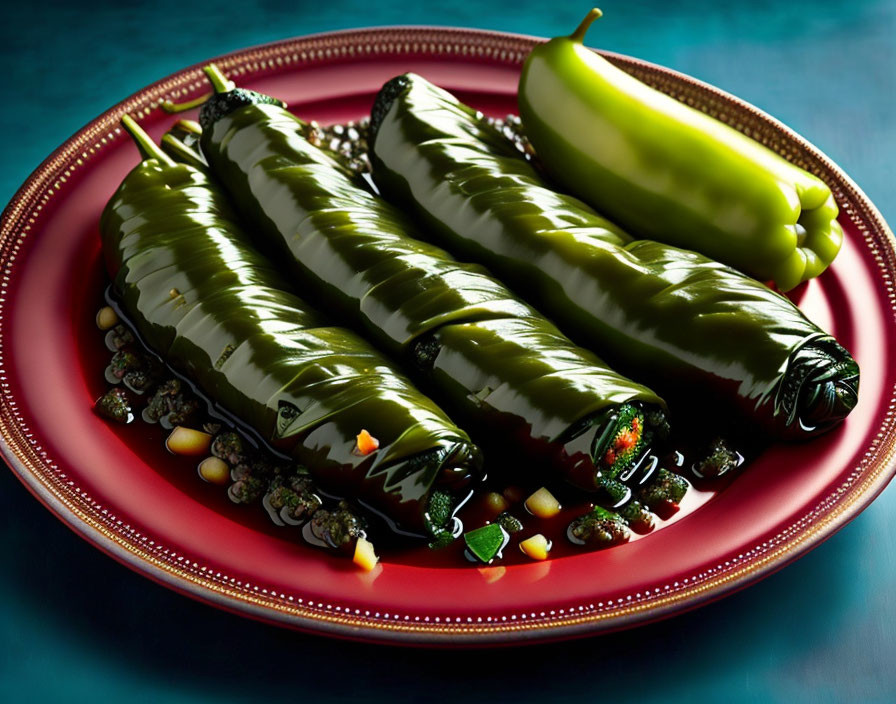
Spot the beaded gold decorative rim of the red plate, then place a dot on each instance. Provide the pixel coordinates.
(73, 505)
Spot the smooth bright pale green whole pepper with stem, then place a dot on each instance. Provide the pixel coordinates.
(668, 172)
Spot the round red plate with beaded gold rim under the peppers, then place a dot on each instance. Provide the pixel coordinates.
(788, 501)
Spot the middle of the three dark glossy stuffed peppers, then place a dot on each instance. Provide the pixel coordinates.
(492, 359)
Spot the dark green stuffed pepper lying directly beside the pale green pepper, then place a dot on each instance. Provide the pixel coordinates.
(691, 327)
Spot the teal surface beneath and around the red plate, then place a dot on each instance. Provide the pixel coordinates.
(77, 626)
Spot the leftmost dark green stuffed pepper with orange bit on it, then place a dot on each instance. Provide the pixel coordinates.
(219, 313)
